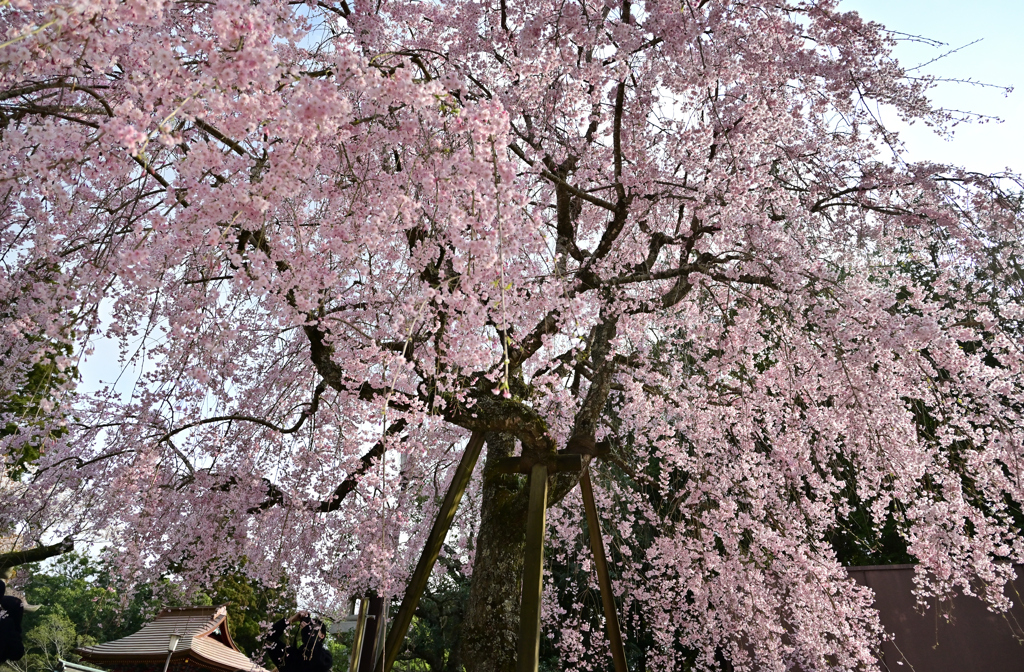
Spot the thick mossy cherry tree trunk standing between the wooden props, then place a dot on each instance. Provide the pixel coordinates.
(491, 631)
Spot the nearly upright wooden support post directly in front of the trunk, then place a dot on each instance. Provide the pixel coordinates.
(533, 572)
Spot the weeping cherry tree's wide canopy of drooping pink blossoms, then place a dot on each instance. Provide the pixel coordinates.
(331, 239)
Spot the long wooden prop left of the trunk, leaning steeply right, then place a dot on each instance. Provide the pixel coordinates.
(432, 550)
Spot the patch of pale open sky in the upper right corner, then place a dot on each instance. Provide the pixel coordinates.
(999, 59)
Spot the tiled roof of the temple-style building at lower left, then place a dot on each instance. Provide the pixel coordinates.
(205, 642)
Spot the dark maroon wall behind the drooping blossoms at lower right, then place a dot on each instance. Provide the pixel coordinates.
(974, 640)
